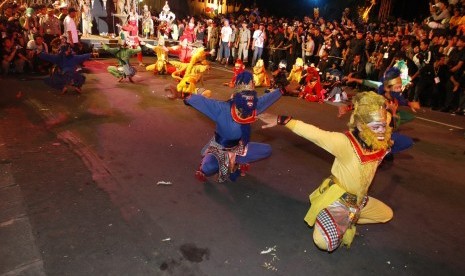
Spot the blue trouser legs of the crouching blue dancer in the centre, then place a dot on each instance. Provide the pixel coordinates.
(255, 152)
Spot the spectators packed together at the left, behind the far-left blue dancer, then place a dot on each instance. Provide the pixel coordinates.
(27, 31)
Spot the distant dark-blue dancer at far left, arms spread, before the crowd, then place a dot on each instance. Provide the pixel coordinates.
(66, 72)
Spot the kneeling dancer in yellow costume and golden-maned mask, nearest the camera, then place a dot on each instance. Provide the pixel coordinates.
(341, 201)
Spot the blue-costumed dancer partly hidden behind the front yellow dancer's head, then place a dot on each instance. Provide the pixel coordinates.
(391, 86)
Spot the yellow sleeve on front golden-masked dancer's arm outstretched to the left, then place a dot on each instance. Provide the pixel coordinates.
(333, 142)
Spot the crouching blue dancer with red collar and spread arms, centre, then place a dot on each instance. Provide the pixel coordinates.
(230, 151)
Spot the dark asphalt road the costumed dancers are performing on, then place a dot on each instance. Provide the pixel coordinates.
(106, 184)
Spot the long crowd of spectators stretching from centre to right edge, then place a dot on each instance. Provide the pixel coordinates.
(433, 48)
